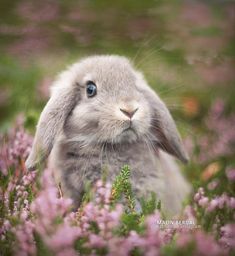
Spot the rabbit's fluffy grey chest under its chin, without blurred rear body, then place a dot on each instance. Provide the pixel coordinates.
(75, 165)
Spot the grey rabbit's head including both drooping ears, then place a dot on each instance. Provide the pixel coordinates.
(102, 99)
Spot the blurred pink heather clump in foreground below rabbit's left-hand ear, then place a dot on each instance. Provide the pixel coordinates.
(47, 208)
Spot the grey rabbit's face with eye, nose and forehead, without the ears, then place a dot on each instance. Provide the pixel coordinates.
(111, 107)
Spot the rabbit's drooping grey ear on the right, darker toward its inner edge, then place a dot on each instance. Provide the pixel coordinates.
(164, 131)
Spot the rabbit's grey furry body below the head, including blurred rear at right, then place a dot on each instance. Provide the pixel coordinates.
(150, 172)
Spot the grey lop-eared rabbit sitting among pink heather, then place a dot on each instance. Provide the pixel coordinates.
(103, 114)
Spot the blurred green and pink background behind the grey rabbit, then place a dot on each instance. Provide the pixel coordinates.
(186, 50)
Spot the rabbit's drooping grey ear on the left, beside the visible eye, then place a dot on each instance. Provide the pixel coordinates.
(50, 124)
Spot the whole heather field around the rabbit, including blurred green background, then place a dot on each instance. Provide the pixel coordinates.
(186, 49)
